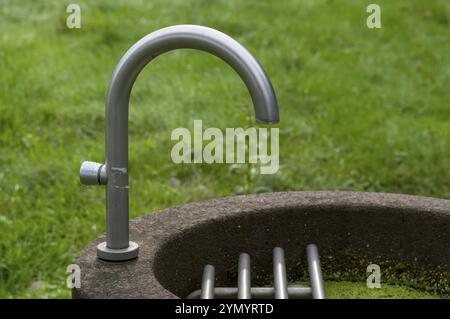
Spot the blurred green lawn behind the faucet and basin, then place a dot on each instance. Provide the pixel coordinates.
(360, 109)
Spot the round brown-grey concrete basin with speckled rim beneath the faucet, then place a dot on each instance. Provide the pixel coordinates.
(176, 243)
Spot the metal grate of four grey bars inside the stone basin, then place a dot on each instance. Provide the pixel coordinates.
(281, 290)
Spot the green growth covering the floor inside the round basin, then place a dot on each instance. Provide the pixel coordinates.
(359, 290)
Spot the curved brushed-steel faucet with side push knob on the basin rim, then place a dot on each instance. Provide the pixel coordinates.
(114, 173)
